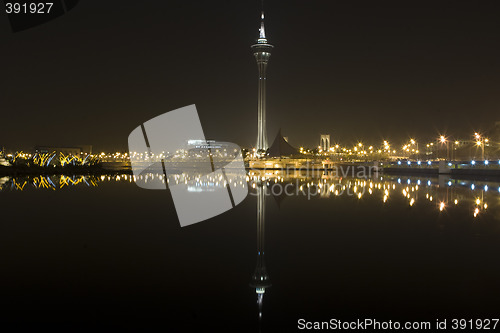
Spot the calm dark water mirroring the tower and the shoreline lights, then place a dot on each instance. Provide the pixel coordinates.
(87, 253)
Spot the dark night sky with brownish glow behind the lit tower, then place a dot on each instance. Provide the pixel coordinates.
(367, 70)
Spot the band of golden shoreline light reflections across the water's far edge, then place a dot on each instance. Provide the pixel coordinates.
(444, 194)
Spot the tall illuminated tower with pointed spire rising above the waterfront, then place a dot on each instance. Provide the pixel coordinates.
(262, 53)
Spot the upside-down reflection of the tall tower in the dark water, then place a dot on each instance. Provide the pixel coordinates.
(260, 278)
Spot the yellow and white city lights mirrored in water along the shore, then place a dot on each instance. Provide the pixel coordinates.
(349, 187)
